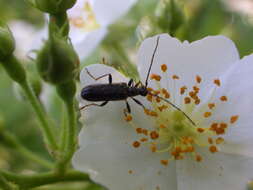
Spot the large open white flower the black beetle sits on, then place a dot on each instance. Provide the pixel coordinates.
(161, 149)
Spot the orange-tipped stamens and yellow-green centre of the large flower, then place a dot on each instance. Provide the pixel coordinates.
(176, 132)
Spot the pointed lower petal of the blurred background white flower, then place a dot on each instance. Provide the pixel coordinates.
(85, 42)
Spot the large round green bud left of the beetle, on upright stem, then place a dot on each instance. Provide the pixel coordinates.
(57, 62)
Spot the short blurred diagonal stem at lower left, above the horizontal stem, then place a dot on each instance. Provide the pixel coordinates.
(12, 141)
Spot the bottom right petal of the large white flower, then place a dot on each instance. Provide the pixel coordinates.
(216, 171)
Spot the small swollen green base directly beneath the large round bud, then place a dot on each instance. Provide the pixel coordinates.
(67, 91)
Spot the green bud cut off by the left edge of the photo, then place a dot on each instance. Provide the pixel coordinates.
(7, 42)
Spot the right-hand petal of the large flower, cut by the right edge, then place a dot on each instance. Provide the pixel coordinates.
(237, 85)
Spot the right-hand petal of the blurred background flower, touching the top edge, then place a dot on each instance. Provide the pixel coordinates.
(109, 11)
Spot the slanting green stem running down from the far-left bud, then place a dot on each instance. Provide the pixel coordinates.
(45, 126)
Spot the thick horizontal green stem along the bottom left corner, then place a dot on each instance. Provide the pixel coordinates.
(36, 180)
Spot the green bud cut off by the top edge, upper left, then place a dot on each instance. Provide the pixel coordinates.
(53, 6)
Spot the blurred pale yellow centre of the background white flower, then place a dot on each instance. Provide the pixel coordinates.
(86, 19)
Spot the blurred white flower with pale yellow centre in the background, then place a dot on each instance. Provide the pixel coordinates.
(89, 20)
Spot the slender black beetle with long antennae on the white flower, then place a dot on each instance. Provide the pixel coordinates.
(121, 91)
